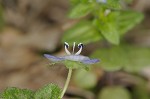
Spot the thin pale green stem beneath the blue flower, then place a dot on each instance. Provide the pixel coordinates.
(66, 83)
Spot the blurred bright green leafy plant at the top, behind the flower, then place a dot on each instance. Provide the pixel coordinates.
(99, 20)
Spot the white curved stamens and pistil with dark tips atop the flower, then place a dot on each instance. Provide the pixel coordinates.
(80, 46)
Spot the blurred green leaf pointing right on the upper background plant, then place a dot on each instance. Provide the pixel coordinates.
(128, 19)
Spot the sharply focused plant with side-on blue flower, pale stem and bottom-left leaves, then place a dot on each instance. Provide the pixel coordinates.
(52, 91)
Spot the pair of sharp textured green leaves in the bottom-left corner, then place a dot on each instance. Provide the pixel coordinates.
(50, 91)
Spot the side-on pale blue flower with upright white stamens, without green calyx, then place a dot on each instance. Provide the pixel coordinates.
(75, 57)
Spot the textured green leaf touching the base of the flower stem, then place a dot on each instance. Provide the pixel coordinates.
(50, 91)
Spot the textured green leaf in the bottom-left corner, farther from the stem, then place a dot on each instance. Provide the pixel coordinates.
(16, 93)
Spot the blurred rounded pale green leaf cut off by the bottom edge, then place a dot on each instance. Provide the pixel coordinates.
(114, 92)
